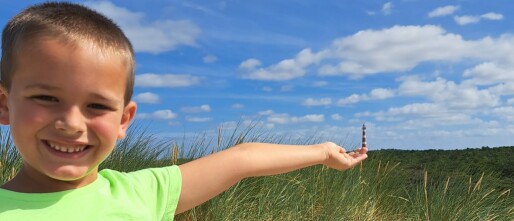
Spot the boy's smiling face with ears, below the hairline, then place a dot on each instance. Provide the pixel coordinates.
(66, 108)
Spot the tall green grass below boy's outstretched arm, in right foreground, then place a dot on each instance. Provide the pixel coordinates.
(372, 191)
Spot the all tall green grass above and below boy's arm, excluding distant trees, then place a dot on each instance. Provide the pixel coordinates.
(374, 190)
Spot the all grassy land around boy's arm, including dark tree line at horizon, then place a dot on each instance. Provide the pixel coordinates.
(470, 184)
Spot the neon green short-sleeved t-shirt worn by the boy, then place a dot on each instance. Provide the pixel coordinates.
(148, 194)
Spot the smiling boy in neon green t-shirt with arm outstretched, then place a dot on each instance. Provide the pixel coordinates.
(67, 75)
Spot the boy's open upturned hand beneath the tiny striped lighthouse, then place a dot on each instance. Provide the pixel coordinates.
(339, 159)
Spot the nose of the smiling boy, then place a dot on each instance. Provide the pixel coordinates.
(71, 122)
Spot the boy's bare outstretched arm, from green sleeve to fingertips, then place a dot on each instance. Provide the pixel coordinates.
(204, 178)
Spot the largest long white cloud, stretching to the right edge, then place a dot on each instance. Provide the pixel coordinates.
(364, 53)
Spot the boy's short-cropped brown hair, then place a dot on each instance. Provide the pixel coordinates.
(71, 22)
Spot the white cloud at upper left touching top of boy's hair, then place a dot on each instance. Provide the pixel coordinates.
(149, 36)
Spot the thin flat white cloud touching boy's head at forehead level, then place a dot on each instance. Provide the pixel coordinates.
(166, 80)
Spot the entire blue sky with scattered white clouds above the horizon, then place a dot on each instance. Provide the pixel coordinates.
(420, 74)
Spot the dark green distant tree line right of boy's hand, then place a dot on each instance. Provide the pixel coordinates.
(497, 163)
